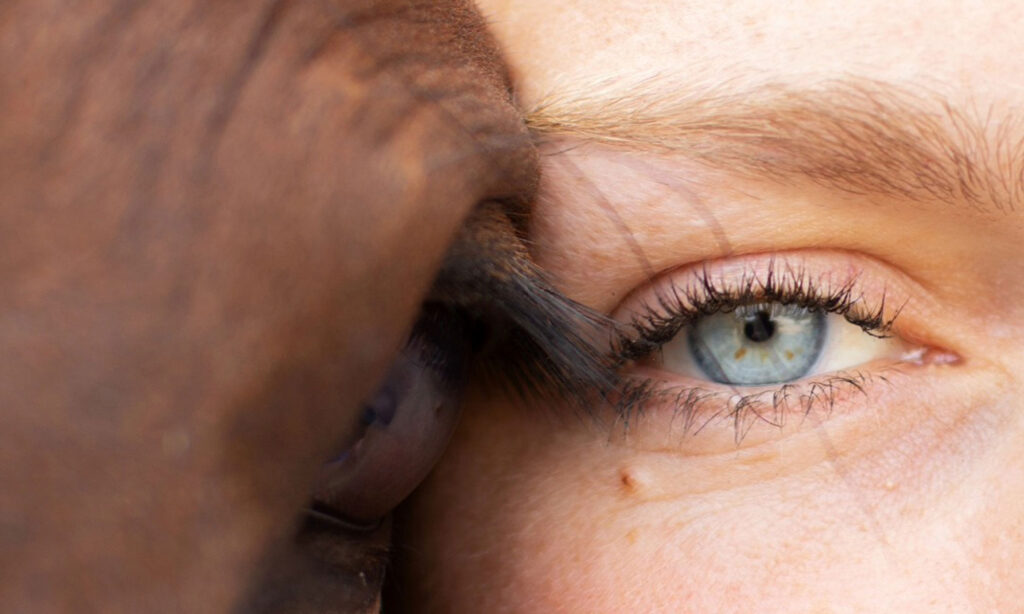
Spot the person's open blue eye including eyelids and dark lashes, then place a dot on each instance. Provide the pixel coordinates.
(762, 342)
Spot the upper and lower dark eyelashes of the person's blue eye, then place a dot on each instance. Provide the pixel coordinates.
(681, 308)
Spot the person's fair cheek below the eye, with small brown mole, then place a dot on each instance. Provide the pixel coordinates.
(527, 514)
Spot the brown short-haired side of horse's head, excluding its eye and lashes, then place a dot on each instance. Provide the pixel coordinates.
(219, 225)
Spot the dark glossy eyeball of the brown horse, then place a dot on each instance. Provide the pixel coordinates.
(406, 427)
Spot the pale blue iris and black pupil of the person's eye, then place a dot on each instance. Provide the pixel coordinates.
(761, 344)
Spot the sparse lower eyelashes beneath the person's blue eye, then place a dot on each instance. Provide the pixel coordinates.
(698, 407)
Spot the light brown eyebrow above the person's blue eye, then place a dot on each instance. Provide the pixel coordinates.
(856, 136)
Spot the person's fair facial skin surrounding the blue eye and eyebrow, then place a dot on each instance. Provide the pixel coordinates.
(905, 499)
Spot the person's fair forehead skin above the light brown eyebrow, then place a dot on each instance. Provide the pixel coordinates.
(962, 50)
